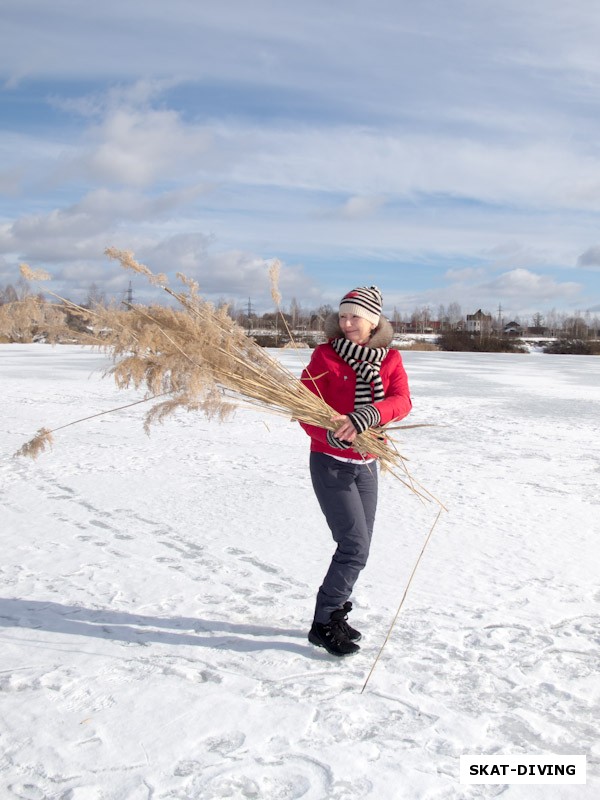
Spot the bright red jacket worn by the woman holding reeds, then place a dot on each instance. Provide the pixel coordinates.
(336, 382)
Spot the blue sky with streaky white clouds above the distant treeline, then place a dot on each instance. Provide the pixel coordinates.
(448, 151)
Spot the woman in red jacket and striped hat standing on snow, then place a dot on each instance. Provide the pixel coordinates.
(364, 381)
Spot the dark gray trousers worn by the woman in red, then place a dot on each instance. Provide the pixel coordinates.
(347, 494)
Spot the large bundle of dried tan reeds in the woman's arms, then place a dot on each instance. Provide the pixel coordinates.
(197, 357)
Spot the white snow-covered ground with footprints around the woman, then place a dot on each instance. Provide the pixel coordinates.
(156, 593)
